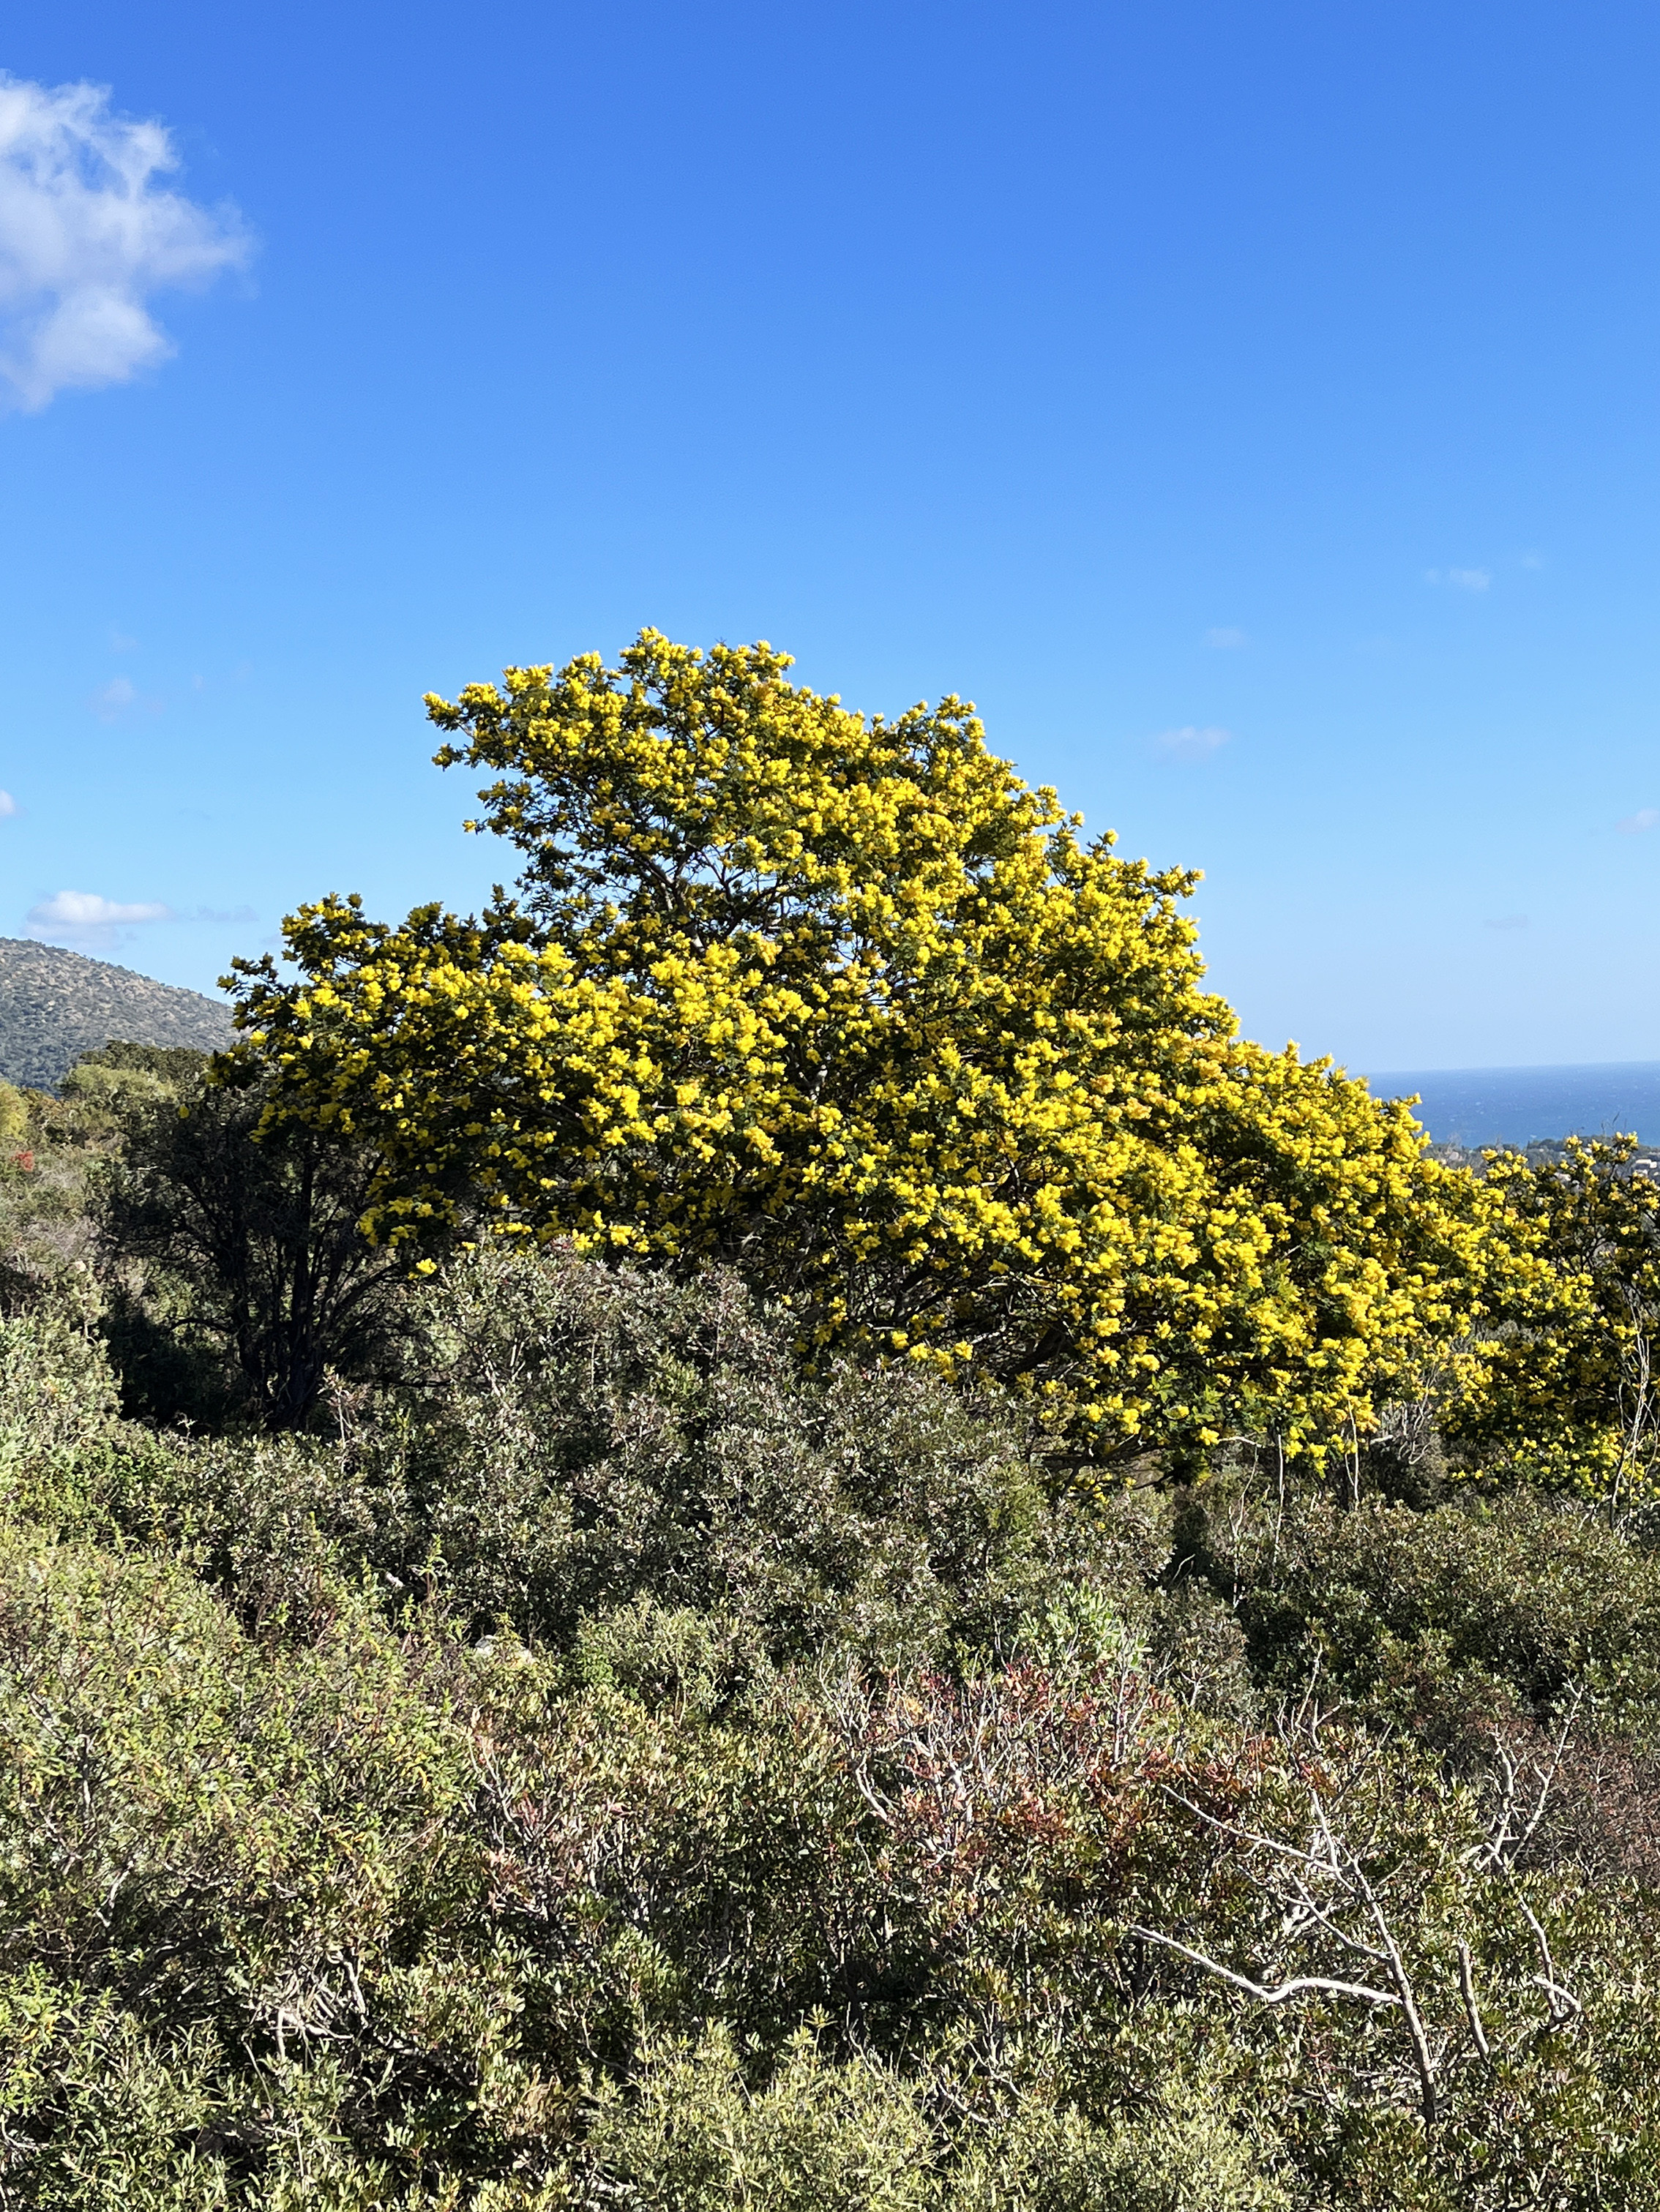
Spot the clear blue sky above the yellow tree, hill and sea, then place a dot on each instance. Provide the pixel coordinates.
(1252, 408)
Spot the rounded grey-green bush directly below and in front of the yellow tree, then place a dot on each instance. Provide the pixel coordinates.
(583, 1439)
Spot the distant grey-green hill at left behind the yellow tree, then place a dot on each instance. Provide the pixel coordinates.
(56, 1005)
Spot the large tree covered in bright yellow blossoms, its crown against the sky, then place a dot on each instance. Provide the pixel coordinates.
(847, 1003)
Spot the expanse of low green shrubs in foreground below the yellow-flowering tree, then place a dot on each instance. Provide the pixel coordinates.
(612, 1768)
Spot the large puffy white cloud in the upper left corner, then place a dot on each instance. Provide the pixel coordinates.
(87, 236)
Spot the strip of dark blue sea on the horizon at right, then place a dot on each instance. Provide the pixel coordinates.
(1522, 1105)
